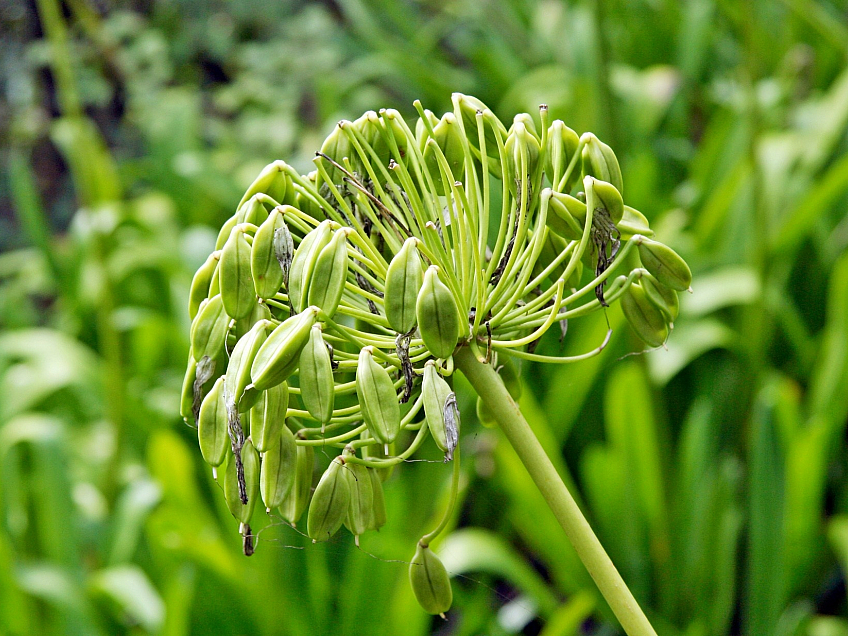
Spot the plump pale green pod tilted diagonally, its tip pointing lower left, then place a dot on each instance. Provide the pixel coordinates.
(279, 355)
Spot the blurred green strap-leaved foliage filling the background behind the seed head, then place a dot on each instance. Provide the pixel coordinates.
(714, 472)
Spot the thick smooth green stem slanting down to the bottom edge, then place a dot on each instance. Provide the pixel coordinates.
(491, 390)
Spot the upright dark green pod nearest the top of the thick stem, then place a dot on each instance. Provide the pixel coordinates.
(438, 315)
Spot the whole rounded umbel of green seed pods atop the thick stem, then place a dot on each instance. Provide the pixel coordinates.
(331, 307)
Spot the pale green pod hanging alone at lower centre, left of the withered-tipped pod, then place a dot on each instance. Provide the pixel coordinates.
(377, 398)
